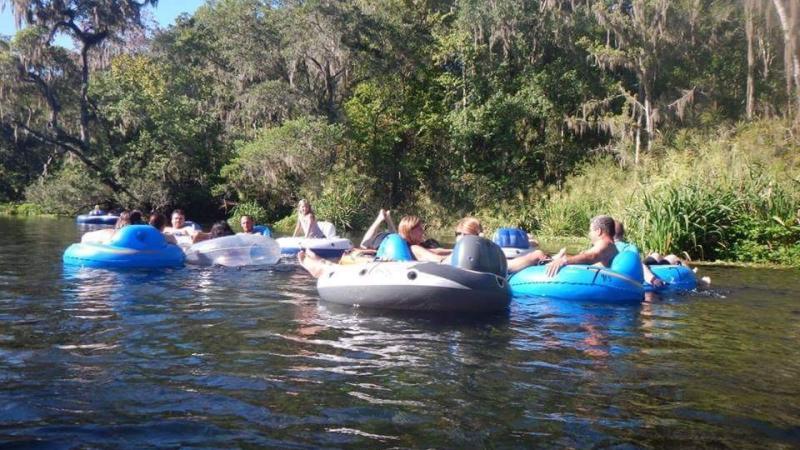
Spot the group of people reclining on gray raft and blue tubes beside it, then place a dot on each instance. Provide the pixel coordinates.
(606, 234)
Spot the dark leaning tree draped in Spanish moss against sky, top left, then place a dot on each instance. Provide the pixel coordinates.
(89, 23)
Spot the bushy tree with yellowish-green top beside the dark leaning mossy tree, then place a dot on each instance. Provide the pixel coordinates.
(164, 151)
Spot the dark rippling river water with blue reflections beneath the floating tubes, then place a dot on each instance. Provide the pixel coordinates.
(220, 357)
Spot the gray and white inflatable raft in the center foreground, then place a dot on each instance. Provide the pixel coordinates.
(414, 286)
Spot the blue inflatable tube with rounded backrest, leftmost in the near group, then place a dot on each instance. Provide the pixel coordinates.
(132, 247)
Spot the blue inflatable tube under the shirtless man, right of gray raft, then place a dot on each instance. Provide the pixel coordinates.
(622, 282)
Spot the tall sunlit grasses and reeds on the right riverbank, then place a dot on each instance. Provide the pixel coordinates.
(723, 195)
